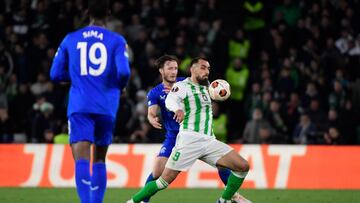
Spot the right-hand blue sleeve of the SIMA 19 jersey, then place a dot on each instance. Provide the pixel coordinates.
(122, 64)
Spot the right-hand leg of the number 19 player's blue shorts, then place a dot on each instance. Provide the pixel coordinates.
(104, 127)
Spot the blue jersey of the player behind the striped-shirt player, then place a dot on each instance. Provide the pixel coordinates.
(157, 96)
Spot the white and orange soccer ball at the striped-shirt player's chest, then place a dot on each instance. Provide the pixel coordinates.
(219, 90)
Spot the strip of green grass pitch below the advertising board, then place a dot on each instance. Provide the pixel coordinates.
(66, 195)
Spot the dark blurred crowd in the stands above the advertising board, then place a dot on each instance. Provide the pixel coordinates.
(294, 66)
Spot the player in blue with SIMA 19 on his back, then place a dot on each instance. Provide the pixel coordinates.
(95, 61)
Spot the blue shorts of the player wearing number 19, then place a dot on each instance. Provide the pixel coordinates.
(94, 128)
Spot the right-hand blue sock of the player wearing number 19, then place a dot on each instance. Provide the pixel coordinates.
(98, 182)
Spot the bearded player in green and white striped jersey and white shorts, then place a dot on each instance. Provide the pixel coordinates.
(190, 101)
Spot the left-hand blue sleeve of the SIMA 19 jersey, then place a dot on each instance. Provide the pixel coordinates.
(59, 71)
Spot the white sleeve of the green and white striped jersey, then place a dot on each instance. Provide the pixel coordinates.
(175, 98)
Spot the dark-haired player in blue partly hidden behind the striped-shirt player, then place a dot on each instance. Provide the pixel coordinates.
(168, 68)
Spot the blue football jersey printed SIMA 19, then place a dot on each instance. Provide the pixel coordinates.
(95, 61)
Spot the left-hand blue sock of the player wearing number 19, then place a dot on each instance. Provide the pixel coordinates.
(82, 179)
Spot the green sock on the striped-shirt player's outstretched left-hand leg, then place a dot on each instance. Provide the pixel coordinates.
(149, 190)
